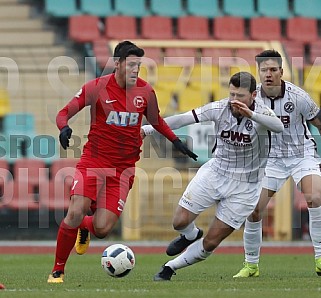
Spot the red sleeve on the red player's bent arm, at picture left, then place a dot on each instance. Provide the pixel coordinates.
(82, 98)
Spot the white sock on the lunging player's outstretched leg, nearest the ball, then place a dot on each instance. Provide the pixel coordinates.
(193, 254)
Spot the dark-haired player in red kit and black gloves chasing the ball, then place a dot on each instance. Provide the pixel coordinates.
(105, 172)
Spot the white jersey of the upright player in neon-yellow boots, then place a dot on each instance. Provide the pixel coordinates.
(294, 107)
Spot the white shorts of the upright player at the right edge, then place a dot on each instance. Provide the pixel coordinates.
(278, 170)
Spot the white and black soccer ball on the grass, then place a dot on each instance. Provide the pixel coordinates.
(118, 260)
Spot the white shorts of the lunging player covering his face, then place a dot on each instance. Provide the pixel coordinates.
(235, 200)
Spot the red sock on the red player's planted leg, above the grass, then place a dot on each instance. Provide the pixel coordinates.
(66, 239)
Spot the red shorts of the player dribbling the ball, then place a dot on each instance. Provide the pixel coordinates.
(108, 188)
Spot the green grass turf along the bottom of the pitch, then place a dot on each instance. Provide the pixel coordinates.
(280, 276)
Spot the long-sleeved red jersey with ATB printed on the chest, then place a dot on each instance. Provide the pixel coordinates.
(116, 116)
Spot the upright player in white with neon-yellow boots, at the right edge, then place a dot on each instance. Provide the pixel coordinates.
(293, 153)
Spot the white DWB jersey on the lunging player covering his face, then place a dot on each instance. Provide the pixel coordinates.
(242, 145)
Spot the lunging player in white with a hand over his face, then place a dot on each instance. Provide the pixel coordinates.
(232, 178)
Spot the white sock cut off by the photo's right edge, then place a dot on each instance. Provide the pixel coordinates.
(315, 229)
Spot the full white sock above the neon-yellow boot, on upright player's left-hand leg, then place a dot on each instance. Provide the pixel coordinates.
(252, 237)
